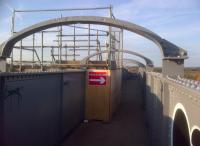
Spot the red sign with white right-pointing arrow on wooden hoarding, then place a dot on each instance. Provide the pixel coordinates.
(97, 77)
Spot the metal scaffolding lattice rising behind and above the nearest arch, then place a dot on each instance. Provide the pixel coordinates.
(67, 46)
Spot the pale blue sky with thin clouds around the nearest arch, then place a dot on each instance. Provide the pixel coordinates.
(175, 20)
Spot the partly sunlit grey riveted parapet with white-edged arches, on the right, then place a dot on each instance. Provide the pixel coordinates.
(165, 96)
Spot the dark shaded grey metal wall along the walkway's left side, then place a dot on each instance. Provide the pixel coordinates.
(36, 109)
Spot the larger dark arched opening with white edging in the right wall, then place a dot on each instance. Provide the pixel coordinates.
(180, 130)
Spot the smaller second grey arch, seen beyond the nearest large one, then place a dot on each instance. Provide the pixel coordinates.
(147, 60)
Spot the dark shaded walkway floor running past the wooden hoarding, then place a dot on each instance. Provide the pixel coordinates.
(126, 129)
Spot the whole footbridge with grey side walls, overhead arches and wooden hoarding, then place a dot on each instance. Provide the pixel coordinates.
(67, 100)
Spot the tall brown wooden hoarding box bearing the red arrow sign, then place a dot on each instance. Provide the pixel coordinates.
(103, 90)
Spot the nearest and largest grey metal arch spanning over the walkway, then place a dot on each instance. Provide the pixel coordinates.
(169, 50)
